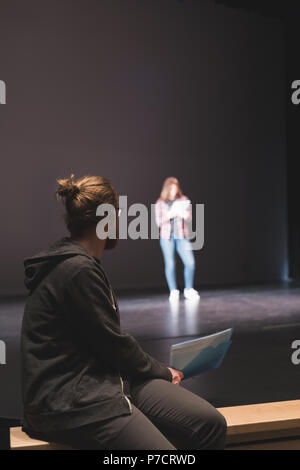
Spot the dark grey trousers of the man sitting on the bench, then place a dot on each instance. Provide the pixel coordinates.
(165, 417)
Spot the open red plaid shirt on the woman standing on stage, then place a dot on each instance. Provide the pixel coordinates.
(163, 221)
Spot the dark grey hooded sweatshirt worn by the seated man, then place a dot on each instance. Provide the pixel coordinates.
(74, 356)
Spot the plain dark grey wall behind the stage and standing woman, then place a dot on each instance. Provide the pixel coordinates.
(137, 91)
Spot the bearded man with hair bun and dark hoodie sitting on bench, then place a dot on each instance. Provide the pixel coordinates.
(85, 383)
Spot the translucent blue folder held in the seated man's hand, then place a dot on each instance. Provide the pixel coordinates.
(202, 354)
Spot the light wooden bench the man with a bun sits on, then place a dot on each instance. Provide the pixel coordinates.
(262, 426)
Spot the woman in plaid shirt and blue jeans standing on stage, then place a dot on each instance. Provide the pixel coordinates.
(172, 212)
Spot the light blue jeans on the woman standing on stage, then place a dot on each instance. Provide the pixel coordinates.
(182, 246)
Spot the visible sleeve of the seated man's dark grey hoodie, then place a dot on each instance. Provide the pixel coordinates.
(97, 321)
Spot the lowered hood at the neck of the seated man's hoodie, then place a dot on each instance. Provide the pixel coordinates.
(39, 265)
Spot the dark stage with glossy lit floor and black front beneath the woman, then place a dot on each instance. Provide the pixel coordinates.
(257, 368)
